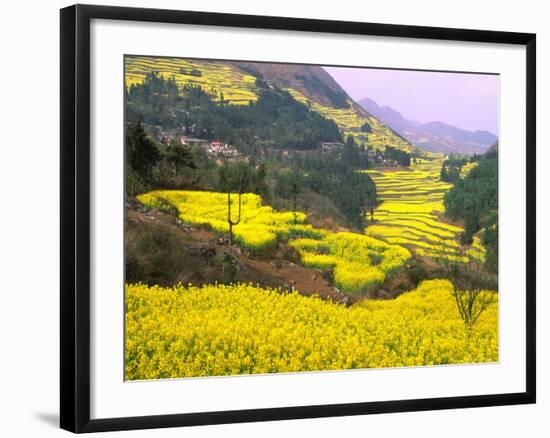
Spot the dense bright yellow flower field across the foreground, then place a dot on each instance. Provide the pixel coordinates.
(241, 329)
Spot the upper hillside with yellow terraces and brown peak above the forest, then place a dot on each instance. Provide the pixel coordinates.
(239, 83)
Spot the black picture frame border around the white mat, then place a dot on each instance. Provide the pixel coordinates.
(75, 217)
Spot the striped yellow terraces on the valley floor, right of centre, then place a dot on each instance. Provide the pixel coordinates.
(412, 203)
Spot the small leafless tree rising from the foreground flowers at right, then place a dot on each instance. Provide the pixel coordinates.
(472, 284)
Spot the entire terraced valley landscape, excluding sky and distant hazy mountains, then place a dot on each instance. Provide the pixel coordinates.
(274, 225)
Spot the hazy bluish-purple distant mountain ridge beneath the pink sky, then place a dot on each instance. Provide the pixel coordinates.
(433, 136)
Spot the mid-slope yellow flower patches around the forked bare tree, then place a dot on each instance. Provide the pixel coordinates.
(357, 261)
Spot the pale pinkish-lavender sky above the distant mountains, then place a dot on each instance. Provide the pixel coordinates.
(469, 101)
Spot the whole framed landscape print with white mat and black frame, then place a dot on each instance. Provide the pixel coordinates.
(267, 218)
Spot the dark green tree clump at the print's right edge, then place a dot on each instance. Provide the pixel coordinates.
(475, 200)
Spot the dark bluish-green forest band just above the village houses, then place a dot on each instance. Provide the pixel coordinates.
(276, 116)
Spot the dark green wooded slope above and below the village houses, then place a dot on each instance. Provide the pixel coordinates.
(277, 139)
